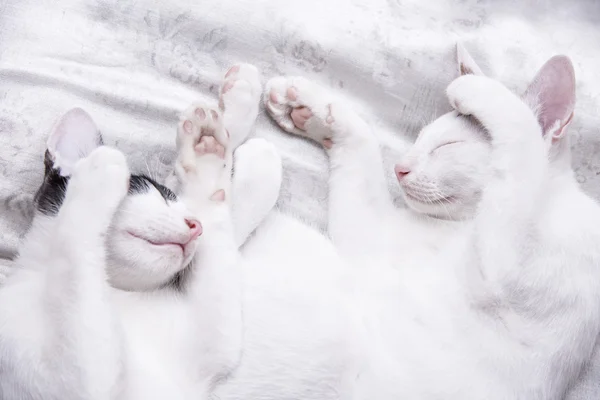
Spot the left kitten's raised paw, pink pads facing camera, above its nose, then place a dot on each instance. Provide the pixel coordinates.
(203, 153)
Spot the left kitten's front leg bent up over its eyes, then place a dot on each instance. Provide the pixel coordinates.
(96, 189)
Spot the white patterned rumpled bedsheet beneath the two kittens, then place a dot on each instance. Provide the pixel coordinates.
(134, 64)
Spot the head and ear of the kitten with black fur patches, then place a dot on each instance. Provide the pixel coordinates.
(152, 237)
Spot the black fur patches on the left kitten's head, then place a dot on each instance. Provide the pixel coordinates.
(51, 194)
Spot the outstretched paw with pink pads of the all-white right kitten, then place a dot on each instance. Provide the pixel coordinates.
(301, 107)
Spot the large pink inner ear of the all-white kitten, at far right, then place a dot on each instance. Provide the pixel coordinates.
(552, 96)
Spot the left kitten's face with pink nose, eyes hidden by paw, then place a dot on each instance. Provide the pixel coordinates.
(152, 238)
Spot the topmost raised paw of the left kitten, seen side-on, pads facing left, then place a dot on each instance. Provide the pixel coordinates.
(239, 100)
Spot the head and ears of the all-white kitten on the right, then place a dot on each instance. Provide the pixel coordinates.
(444, 172)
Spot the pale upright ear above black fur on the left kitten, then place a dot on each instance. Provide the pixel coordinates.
(73, 137)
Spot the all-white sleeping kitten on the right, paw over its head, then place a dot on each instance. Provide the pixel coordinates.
(509, 309)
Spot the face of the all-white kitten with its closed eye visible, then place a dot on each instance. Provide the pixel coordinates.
(444, 172)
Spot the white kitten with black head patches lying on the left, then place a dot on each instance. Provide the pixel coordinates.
(103, 302)
